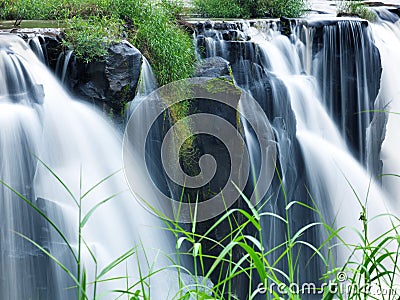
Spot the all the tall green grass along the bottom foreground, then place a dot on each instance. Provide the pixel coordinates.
(379, 265)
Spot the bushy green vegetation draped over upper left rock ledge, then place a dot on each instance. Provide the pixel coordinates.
(92, 25)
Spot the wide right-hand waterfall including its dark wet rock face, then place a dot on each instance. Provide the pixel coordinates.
(317, 80)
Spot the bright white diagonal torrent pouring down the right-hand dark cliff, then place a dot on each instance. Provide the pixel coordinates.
(336, 178)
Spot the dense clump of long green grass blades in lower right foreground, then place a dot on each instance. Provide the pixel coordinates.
(379, 266)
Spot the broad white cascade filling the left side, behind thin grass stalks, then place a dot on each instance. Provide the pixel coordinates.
(39, 118)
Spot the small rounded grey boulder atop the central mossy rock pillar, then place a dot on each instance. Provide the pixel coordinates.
(213, 67)
